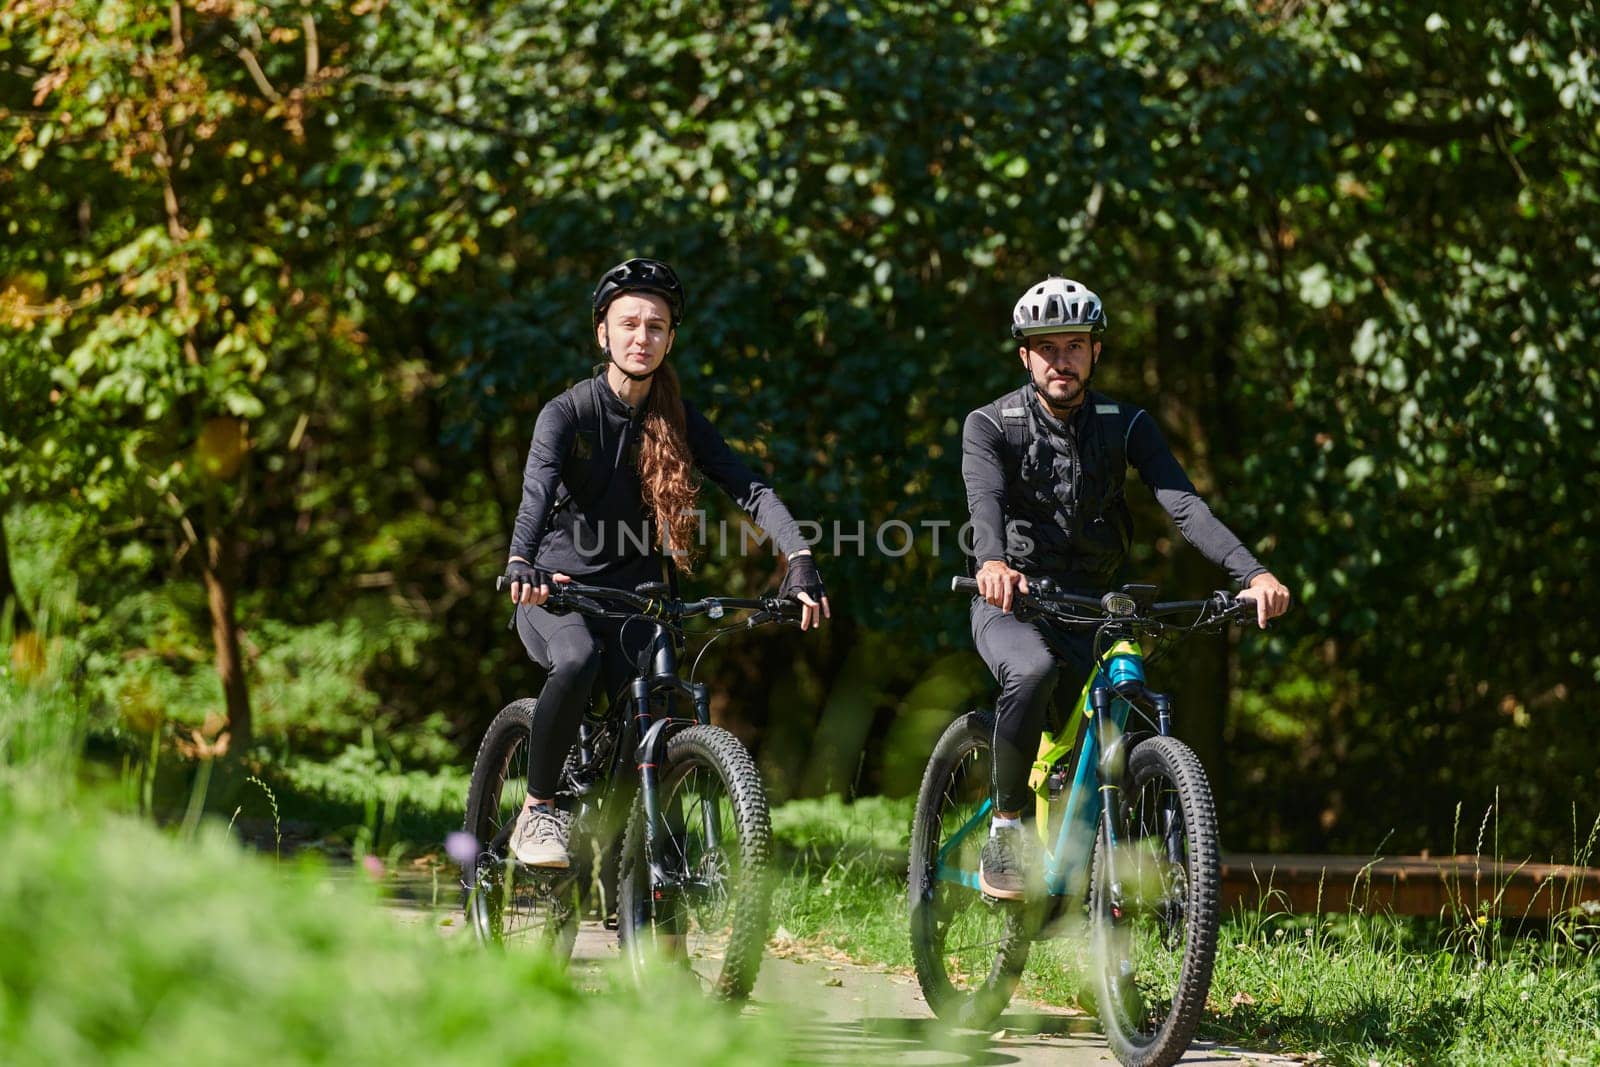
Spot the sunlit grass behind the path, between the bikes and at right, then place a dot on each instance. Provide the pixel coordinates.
(1356, 989)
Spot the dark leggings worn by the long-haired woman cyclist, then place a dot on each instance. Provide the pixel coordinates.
(577, 652)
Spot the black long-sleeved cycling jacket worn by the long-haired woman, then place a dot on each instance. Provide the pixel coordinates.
(583, 510)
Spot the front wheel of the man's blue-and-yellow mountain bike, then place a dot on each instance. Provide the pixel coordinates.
(1154, 911)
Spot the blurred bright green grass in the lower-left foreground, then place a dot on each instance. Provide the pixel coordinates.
(129, 945)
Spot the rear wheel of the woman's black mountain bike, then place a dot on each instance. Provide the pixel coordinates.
(510, 905)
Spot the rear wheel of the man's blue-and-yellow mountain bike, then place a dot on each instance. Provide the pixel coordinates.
(969, 951)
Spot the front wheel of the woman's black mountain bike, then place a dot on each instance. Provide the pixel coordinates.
(719, 841)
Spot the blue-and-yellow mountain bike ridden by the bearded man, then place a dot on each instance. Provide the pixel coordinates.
(1127, 829)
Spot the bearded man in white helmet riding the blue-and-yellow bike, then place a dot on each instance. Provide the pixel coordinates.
(1046, 470)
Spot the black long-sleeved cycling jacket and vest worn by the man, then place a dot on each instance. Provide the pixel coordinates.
(1057, 510)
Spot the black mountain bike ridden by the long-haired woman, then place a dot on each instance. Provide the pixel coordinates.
(665, 812)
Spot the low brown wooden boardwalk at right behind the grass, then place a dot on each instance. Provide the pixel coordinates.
(1407, 885)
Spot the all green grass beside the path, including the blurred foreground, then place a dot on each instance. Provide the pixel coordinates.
(132, 945)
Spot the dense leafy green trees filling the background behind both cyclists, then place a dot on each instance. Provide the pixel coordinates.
(290, 286)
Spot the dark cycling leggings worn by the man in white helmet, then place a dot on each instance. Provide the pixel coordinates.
(1030, 671)
